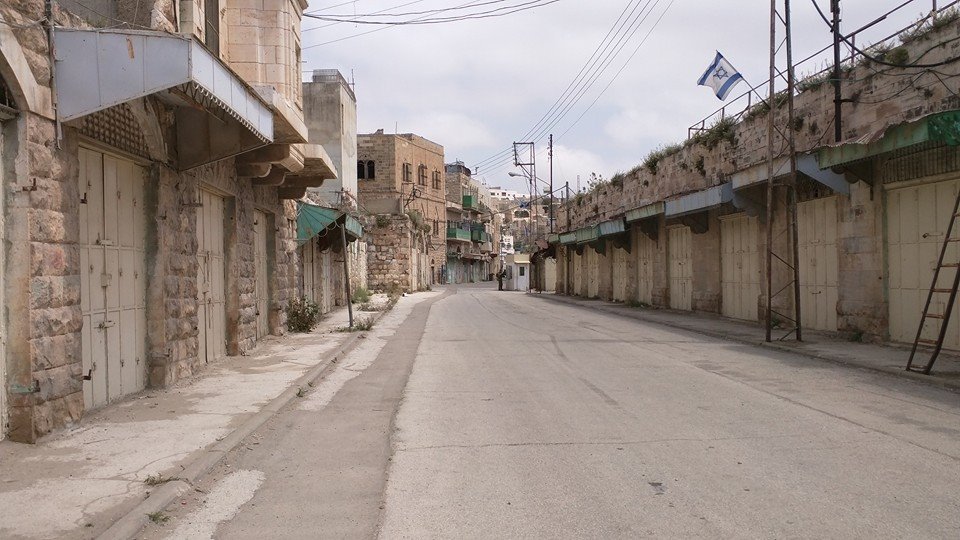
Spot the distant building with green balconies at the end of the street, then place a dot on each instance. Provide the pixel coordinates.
(470, 228)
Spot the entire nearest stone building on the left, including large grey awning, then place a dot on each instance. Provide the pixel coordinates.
(147, 215)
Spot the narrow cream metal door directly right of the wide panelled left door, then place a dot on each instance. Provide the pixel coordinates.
(211, 277)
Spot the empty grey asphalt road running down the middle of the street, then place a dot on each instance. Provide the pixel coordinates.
(490, 414)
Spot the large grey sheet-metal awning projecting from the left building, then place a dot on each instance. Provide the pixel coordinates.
(218, 114)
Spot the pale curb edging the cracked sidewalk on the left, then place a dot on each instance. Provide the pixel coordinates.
(130, 524)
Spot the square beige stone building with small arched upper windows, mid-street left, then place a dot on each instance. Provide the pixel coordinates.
(400, 180)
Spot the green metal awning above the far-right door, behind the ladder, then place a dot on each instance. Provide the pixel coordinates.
(933, 130)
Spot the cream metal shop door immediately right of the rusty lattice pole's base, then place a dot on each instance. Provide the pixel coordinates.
(819, 263)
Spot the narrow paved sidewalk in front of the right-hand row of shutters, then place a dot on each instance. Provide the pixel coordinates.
(886, 358)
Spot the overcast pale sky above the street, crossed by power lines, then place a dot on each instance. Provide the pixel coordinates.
(476, 86)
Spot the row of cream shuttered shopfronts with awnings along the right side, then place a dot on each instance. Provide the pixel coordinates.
(871, 220)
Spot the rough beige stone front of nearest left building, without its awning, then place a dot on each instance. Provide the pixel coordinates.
(59, 186)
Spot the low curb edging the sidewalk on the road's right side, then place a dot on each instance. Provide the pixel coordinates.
(902, 373)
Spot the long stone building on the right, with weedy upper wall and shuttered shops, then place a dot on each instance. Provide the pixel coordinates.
(686, 230)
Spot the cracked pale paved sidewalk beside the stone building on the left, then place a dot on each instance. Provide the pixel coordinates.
(77, 482)
